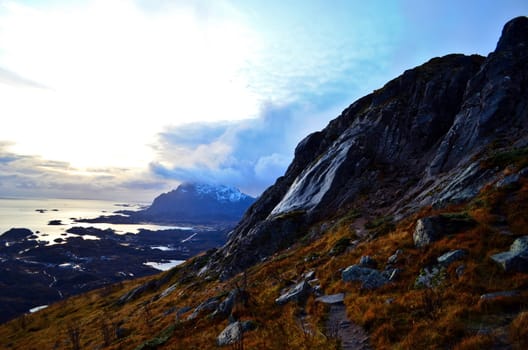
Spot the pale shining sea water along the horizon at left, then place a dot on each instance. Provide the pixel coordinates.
(22, 213)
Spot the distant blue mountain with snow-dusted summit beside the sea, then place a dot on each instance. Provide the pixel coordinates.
(202, 203)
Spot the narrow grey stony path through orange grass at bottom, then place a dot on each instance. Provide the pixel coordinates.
(353, 337)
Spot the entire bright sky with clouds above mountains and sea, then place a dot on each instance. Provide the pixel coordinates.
(125, 99)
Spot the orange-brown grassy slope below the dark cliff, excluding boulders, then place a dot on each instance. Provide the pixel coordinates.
(447, 316)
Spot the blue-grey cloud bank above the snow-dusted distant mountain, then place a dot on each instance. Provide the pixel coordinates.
(249, 154)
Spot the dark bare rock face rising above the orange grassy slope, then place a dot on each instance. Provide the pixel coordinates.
(417, 141)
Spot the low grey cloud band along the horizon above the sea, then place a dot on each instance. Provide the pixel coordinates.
(33, 176)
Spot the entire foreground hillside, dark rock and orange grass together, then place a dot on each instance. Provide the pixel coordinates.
(408, 212)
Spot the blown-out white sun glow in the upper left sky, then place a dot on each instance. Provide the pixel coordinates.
(101, 79)
